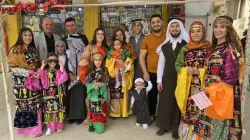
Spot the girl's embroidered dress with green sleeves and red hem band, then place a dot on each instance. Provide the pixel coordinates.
(98, 97)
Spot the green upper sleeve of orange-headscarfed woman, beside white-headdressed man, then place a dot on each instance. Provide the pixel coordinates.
(179, 64)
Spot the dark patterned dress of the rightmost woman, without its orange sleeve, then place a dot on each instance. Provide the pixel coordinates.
(224, 65)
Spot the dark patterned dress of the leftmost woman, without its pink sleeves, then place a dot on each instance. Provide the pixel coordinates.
(21, 60)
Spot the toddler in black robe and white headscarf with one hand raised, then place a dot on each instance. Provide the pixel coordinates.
(139, 103)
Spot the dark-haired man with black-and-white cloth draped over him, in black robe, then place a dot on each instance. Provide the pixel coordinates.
(75, 44)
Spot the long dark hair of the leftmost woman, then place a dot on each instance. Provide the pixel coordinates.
(20, 38)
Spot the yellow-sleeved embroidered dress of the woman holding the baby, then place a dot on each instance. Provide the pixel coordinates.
(119, 105)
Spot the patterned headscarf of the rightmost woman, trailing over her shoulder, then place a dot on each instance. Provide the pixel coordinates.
(228, 22)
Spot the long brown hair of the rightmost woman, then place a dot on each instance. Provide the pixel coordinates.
(230, 36)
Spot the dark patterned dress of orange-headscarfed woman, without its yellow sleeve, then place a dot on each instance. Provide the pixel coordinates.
(191, 58)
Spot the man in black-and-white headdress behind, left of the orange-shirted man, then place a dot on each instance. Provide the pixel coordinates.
(135, 40)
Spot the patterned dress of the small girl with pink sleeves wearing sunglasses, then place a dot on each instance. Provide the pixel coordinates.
(53, 99)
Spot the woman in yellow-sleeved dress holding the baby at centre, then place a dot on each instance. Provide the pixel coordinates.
(119, 105)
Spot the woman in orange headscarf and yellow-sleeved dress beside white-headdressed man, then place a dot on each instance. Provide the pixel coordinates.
(191, 65)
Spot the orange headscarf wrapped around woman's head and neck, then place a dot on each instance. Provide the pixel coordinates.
(203, 43)
